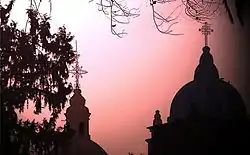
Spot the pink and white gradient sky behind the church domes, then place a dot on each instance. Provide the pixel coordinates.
(130, 78)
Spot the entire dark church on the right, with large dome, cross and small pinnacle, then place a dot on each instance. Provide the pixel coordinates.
(207, 116)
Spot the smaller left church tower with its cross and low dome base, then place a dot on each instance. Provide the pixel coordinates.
(78, 116)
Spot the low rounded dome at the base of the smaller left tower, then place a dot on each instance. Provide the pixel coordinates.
(87, 147)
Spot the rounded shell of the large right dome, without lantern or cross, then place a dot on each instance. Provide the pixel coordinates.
(218, 100)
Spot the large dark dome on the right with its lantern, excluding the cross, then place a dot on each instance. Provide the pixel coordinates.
(207, 96)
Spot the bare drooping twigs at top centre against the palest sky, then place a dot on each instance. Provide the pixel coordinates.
(118, 13)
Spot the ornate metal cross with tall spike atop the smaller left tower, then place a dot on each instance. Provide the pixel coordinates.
(77, 70)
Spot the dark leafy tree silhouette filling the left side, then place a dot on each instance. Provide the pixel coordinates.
(34, 68)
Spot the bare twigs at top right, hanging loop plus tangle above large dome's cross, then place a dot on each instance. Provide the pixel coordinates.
(199, 10)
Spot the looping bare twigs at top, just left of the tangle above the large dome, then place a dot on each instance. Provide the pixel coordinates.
(164, 24)
